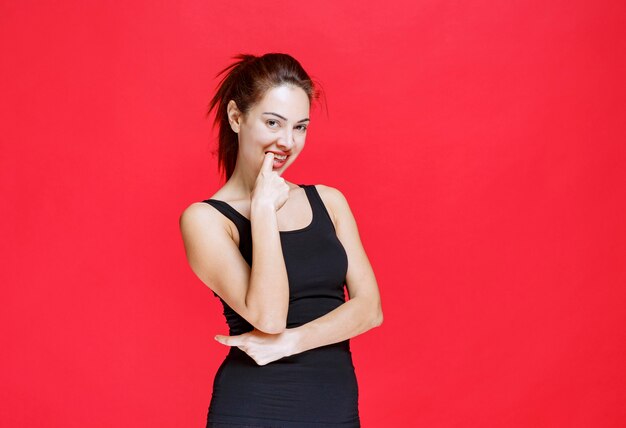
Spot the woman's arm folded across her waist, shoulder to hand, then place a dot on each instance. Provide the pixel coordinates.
(360, 313)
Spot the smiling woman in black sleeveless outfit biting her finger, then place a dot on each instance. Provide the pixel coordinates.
(289, 362)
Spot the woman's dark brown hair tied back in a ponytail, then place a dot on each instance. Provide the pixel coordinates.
(245, 81)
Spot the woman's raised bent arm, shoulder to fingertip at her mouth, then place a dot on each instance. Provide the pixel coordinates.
(260, 294)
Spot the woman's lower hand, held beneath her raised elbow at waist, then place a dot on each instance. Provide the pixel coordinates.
(263, 347)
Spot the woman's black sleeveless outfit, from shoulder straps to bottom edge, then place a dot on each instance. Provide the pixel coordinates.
(313, 389)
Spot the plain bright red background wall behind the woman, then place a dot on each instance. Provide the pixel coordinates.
(480, 144)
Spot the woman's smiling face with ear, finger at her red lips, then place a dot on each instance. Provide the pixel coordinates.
(278, 123)
